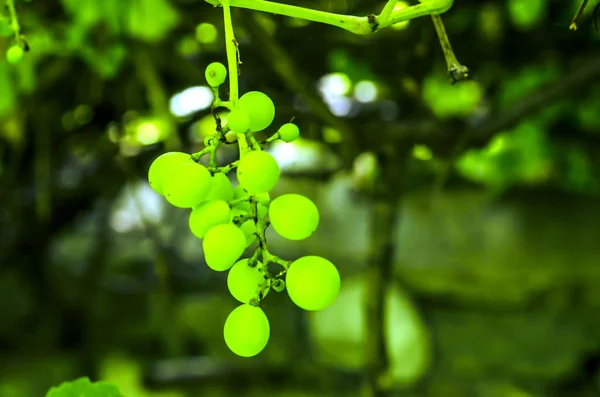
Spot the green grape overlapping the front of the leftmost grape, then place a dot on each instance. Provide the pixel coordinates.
(187, 185)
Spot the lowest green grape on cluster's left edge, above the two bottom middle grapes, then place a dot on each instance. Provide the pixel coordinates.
(223, 245)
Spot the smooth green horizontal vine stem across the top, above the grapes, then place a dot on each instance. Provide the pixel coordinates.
(358, 25)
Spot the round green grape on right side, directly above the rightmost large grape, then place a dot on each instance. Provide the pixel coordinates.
(294, 216)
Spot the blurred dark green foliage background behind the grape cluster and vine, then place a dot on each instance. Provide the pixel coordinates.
(463, 218)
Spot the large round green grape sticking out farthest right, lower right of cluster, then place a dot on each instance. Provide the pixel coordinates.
(312, 282)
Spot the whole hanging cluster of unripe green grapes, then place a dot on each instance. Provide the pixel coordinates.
(229, 220)
